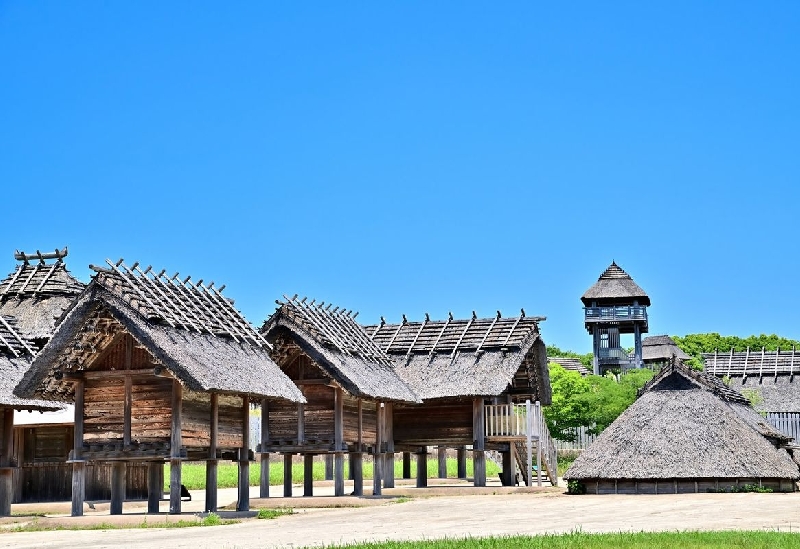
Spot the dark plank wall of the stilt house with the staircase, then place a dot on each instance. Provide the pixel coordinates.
(434, 423)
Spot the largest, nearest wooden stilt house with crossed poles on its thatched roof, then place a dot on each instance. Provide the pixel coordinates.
(159, 370)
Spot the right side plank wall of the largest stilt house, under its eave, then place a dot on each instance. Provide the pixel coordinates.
(196, 421)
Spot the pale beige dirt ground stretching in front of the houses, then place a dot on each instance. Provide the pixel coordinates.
(448, 510)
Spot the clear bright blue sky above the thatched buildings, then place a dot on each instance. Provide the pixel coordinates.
(416, 157)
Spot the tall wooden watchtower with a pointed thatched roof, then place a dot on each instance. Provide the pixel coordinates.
(615, 305)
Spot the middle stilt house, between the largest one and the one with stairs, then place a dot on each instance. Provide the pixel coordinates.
(350, 387)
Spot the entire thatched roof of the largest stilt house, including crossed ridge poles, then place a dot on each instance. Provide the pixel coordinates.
(189, 328)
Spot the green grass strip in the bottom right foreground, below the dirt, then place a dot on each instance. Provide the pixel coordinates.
(579, 540)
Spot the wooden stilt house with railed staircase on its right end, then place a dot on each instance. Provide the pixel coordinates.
(473, 377)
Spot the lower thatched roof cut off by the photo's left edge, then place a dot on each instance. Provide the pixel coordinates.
(16, 354)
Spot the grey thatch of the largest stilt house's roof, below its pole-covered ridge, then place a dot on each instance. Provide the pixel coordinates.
(202, 361)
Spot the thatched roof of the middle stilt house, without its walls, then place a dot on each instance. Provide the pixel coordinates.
(339, 345)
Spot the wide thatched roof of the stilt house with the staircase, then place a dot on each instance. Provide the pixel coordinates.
(468, 357)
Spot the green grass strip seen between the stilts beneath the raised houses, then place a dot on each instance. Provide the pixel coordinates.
(193, 475)
